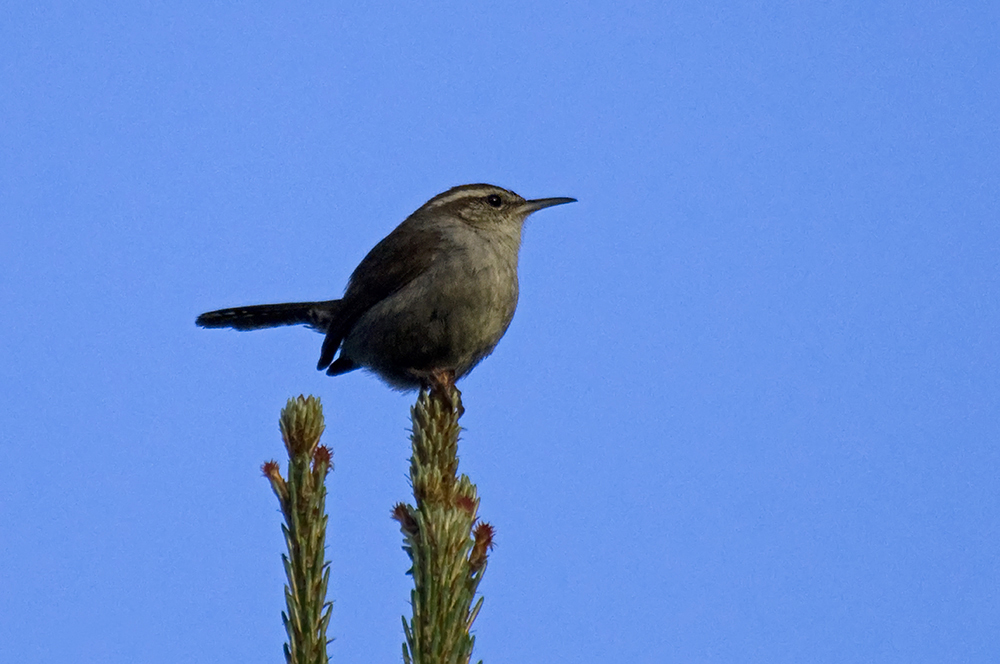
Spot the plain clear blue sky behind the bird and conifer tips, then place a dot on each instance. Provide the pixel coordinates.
(747, 409)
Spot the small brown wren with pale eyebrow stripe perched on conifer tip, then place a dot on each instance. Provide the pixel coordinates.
(429, 302)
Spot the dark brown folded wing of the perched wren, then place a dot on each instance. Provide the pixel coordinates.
(402, 256)
